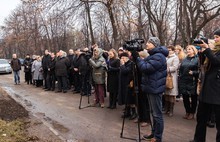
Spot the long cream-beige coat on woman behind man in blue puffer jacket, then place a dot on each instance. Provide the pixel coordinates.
(172, 66)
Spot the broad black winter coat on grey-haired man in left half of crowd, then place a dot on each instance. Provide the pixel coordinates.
(61, 66)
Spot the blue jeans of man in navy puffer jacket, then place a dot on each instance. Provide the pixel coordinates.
(155, 102)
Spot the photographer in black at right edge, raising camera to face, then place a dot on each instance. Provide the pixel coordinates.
(209, 97)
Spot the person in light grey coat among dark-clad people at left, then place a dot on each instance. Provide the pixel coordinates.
(38, 71)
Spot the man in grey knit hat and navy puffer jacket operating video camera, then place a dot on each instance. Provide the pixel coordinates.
(154, 72)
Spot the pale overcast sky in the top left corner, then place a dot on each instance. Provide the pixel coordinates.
(6, 7)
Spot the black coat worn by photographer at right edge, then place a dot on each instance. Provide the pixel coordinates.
(210, 92)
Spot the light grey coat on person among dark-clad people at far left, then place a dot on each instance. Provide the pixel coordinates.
(37, 70)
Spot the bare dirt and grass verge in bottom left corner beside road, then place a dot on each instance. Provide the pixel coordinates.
(16, 125)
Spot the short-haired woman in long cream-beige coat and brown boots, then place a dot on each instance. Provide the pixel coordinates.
(172, 67)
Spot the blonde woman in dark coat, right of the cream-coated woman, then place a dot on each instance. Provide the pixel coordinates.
(188, 78)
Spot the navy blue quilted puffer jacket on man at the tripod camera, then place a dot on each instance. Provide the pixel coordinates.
(154, 71)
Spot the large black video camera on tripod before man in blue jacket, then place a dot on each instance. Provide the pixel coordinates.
(133, 45)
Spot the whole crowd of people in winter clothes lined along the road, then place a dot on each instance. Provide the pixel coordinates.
(120, 72)
